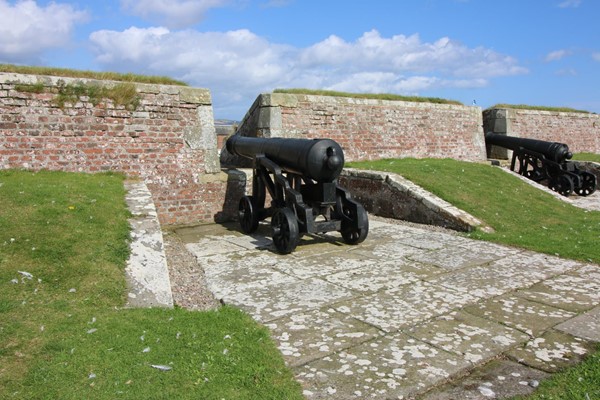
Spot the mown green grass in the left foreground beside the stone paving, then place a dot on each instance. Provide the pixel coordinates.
(64, 333)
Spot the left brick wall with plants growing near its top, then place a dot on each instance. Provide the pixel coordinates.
(168, 140)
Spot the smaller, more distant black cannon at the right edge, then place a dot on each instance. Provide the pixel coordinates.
(546, 163)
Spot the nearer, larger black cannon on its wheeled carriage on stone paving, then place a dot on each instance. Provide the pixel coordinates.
(301, 178)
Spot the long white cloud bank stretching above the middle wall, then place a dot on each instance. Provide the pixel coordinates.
(238, 65)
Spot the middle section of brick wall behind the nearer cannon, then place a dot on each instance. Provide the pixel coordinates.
(371, 129)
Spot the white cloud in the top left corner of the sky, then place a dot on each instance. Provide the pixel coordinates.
(27, 30)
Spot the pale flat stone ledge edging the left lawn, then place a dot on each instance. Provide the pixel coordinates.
(146, 272)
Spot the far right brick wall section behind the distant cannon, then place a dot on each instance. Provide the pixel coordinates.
(580, 131)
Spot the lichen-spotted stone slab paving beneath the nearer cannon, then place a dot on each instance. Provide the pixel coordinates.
(409, 313)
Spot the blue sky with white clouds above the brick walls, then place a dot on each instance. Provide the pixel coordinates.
(537, 52)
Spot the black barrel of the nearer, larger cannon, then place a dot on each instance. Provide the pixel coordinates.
(319, 159)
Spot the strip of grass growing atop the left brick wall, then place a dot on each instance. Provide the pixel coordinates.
(72, 73)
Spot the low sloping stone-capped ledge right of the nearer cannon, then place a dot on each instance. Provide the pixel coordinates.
(393, 196)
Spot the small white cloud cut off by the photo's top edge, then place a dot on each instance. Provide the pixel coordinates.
(172, 13)
